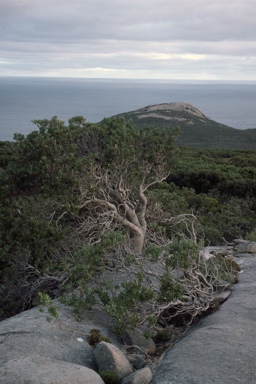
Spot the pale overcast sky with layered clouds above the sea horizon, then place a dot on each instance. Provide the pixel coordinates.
(139, 39)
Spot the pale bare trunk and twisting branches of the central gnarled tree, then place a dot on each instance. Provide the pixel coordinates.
(115, 197)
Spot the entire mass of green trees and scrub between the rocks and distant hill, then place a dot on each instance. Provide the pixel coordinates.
(81, 201)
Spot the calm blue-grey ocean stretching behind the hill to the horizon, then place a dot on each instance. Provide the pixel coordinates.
(25, 99)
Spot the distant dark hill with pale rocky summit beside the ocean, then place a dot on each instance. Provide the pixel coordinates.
(197, 130)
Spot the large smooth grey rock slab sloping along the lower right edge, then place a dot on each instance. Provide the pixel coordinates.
(221, 348)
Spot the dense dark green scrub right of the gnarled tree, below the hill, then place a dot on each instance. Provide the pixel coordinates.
(220, 187)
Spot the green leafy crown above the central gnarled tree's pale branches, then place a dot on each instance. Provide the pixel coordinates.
(117, 148)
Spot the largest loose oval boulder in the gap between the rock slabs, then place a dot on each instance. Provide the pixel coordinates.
(110, 358)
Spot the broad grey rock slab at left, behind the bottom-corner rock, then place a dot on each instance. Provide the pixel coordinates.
(30, 334)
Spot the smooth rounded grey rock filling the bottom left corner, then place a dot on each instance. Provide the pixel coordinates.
(27, 370)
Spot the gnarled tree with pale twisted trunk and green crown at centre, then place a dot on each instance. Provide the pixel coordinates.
(122, 163)
